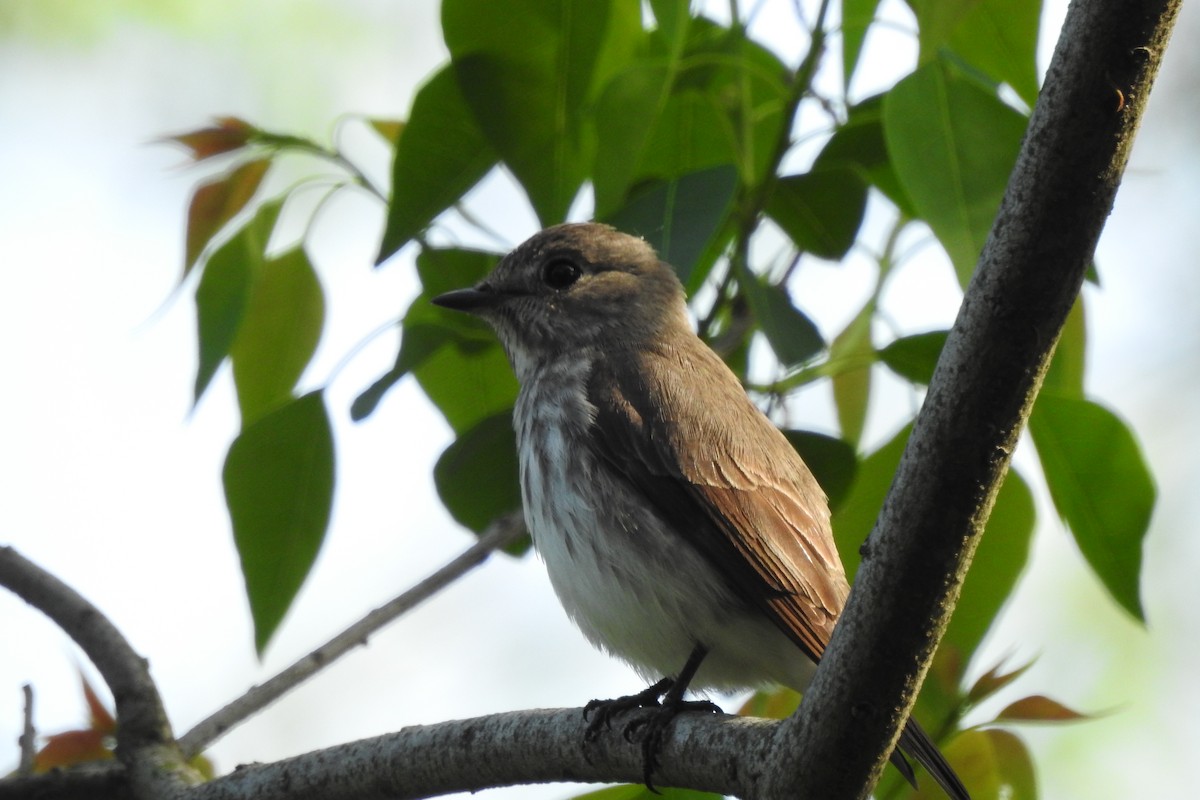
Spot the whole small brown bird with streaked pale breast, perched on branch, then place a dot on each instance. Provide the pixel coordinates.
(680, 528)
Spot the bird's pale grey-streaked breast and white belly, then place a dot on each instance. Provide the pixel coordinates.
(634, 587)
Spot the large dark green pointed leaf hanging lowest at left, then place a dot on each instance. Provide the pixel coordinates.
(279, 484)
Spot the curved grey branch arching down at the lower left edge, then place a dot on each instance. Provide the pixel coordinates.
(145, 742)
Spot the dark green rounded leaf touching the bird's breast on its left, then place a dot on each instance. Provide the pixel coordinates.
(478, 476)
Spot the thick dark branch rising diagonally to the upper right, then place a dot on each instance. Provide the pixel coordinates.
(1030, 273)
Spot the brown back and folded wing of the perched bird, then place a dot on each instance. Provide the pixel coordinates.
(727, 479)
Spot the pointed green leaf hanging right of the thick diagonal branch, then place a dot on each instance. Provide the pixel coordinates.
(1101, 485)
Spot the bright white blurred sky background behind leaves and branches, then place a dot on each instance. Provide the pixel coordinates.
(110, 480)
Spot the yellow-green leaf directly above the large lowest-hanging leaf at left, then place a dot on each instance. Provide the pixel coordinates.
(279, 334)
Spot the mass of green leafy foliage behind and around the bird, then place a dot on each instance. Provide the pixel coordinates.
(679, 128)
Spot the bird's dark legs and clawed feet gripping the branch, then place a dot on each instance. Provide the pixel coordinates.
(653, 727)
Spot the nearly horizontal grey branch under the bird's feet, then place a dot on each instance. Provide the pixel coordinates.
(502, 750)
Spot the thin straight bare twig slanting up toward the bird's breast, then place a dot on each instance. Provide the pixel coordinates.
(501, 533)
